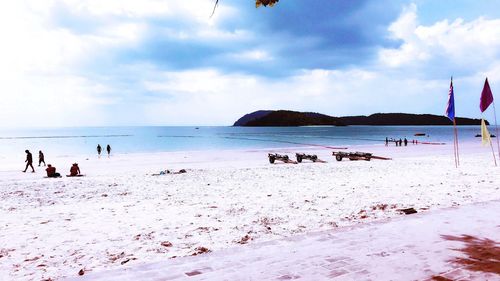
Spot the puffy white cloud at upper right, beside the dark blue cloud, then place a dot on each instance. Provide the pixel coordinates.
(464, 44)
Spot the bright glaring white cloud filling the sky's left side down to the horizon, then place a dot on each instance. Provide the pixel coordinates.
(39, 74)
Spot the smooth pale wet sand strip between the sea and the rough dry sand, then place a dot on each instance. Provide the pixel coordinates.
(10, 163)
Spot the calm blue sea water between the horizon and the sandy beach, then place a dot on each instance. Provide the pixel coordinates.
(71, 141)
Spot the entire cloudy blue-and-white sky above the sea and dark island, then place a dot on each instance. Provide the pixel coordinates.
(167, 62)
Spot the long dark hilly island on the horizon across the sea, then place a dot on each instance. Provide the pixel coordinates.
(281, 118)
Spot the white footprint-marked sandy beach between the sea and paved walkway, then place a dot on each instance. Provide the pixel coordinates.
(119, 213)
